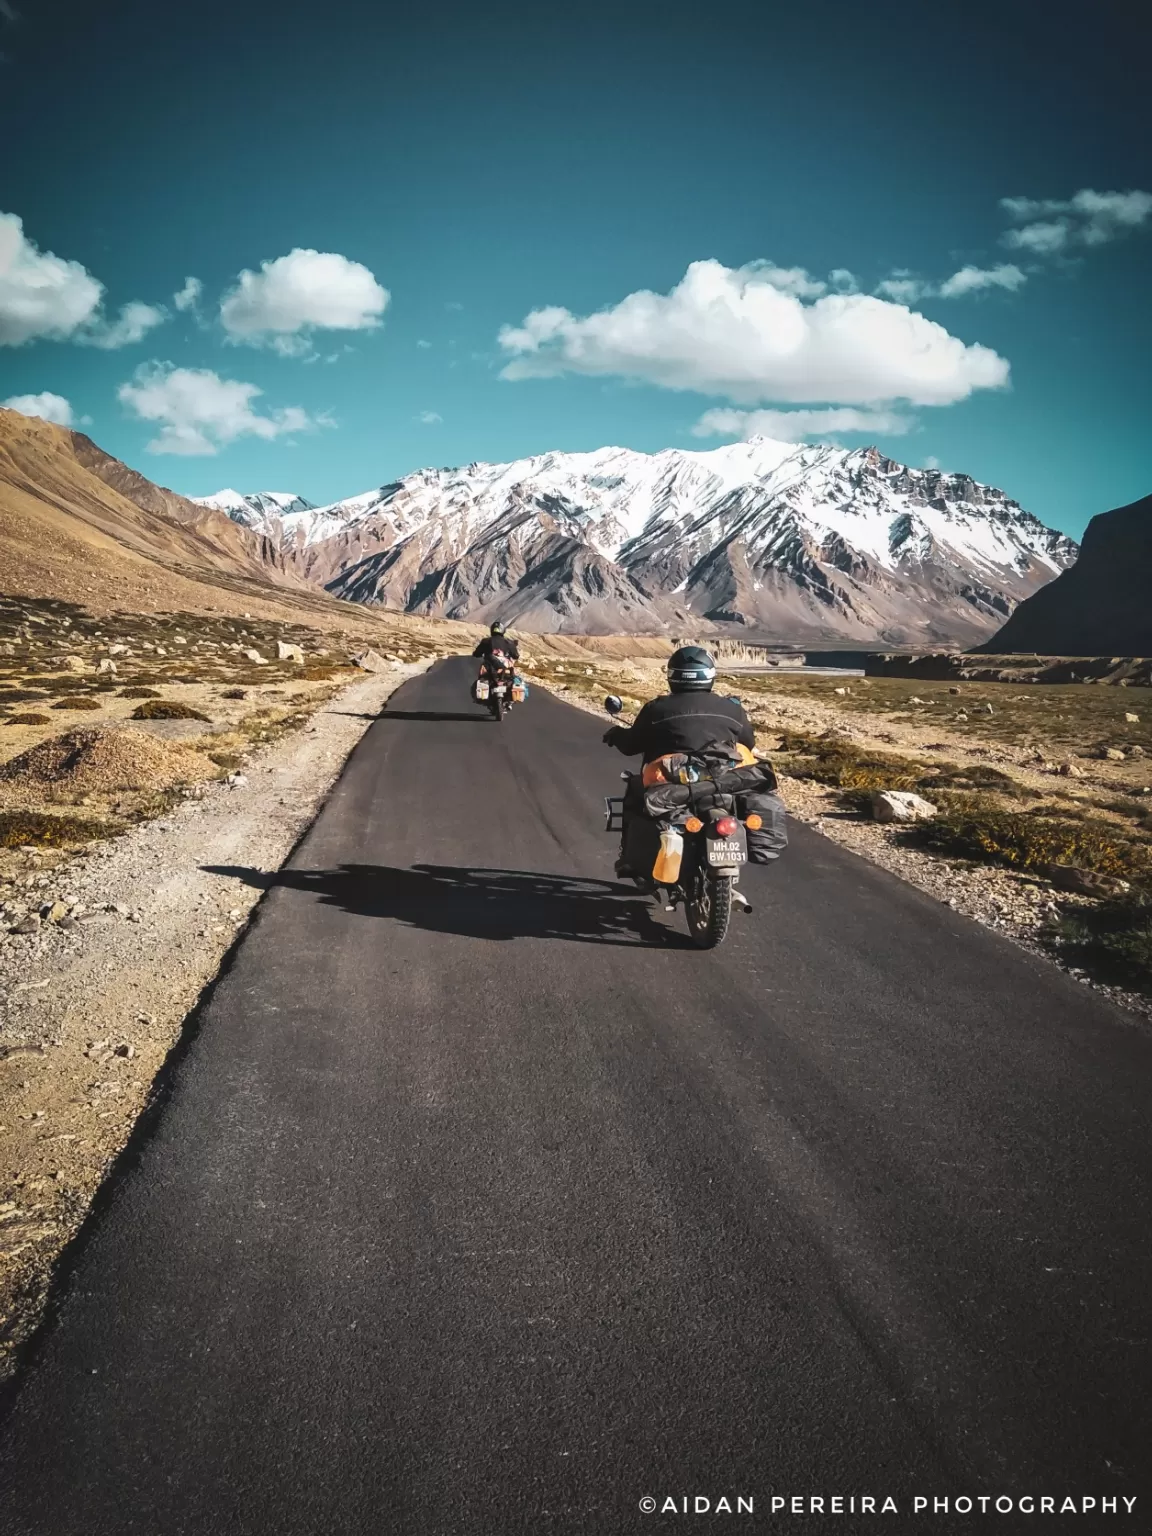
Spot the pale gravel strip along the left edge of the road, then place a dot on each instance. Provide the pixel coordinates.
(90, 1010)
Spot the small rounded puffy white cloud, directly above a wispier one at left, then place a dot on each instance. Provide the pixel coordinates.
(294, 296)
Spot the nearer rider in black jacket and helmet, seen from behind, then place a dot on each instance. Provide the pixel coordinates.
(692, 720)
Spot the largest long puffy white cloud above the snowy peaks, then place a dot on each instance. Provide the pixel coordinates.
(732, 333)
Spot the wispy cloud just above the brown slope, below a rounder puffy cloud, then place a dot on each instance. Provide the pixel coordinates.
(199, 412)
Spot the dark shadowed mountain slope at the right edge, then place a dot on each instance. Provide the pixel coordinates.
(1104, 604)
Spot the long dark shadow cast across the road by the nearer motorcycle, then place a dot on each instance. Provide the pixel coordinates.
(480, 904)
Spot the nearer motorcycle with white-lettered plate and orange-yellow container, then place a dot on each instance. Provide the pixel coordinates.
(703, 847)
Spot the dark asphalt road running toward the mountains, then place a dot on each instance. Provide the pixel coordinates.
(480, 1203)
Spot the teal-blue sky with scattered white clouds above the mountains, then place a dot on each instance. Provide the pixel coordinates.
(451, 222)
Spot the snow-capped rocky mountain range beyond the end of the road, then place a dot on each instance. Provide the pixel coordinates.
(790, 543)
